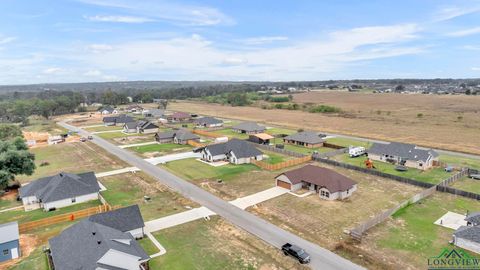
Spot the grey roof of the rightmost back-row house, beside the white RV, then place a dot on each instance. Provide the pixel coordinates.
(403, 150)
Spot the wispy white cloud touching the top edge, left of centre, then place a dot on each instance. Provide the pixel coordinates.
(184, 14)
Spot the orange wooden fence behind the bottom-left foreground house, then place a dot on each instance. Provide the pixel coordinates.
(28, 226)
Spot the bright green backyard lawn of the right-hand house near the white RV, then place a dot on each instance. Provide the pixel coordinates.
(434, 176)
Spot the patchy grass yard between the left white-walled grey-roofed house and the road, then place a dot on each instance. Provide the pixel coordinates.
(130, 188)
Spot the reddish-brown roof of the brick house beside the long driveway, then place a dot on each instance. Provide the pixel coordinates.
(320, 176)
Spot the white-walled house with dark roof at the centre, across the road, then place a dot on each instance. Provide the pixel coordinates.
(234, 151)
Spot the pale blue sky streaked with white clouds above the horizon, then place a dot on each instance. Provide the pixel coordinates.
(46, 41)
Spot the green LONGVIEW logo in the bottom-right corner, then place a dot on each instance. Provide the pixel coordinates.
(453, 259)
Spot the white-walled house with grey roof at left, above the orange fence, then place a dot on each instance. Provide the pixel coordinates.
(61, 190)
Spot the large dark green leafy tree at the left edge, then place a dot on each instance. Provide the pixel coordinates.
(15, 159)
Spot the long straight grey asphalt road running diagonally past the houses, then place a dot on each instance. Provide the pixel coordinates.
(320, 258)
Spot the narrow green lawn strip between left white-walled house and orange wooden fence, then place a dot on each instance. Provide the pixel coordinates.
(24, 216)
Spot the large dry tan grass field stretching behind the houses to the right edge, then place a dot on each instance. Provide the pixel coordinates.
(446, 122)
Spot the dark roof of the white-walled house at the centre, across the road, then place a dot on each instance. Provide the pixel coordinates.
(241, 149)
